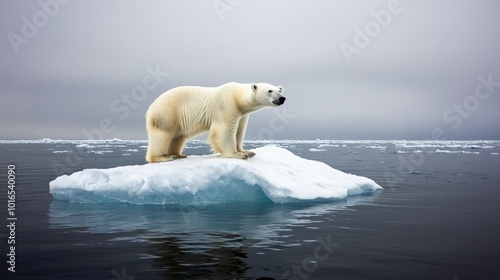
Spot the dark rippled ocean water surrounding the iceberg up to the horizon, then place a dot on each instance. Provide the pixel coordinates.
(438, 217)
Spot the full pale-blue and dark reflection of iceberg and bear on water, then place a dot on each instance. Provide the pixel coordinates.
(200, 241)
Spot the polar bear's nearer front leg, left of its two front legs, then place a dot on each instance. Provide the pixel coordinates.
(222, 137)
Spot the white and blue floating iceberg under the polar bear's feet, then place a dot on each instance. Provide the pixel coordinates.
(273, 175)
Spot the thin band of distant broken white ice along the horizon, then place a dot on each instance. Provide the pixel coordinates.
(100, 147)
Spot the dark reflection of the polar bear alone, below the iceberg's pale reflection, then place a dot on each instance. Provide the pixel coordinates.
(218, 255)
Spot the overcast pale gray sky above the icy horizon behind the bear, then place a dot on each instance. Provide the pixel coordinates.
(351, 69)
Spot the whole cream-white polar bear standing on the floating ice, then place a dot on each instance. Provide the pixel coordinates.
(184, 112)
